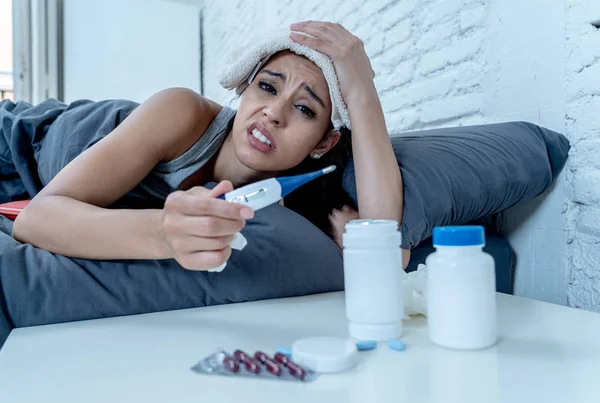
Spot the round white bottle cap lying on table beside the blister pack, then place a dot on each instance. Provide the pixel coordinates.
(325, 354)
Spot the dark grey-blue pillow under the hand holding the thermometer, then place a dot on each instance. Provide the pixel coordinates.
(286, 256)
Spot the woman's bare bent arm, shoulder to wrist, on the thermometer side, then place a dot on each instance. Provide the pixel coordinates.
(68, 216)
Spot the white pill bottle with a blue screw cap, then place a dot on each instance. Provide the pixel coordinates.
(461, 289)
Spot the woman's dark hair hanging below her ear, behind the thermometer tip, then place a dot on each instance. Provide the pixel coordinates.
(316, 200)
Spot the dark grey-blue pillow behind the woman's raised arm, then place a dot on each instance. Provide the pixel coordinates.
(458, 175)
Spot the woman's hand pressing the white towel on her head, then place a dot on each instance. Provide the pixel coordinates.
(347, 52)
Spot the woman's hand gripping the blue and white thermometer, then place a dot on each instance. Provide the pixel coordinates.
(197, 228)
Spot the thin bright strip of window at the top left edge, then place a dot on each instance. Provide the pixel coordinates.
(6, 51)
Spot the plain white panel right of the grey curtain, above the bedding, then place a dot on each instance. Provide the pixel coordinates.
(129, 49)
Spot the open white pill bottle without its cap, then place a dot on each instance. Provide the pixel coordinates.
(373, 278)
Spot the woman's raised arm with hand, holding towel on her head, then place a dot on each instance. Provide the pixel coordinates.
(378, 179)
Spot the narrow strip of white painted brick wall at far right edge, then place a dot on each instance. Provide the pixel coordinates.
(583, 173)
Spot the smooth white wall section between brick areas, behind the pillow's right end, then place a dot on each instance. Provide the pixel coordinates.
(525, 80)
